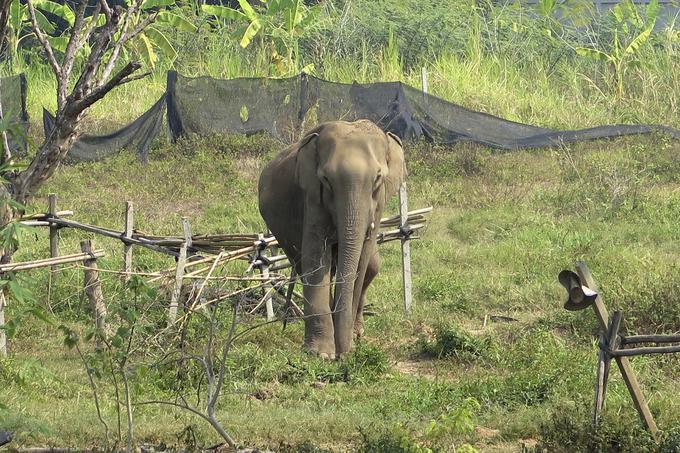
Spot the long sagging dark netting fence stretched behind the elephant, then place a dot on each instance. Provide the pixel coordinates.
(285, 108)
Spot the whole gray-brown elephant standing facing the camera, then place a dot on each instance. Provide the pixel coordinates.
(323, 198)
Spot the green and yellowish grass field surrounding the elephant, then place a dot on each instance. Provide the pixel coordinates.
(488, 358)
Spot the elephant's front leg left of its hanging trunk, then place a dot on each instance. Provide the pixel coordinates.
(316, 263)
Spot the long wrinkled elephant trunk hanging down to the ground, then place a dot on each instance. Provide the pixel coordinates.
(353, 223)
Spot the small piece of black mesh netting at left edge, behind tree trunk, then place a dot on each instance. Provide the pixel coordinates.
(15, 117)
